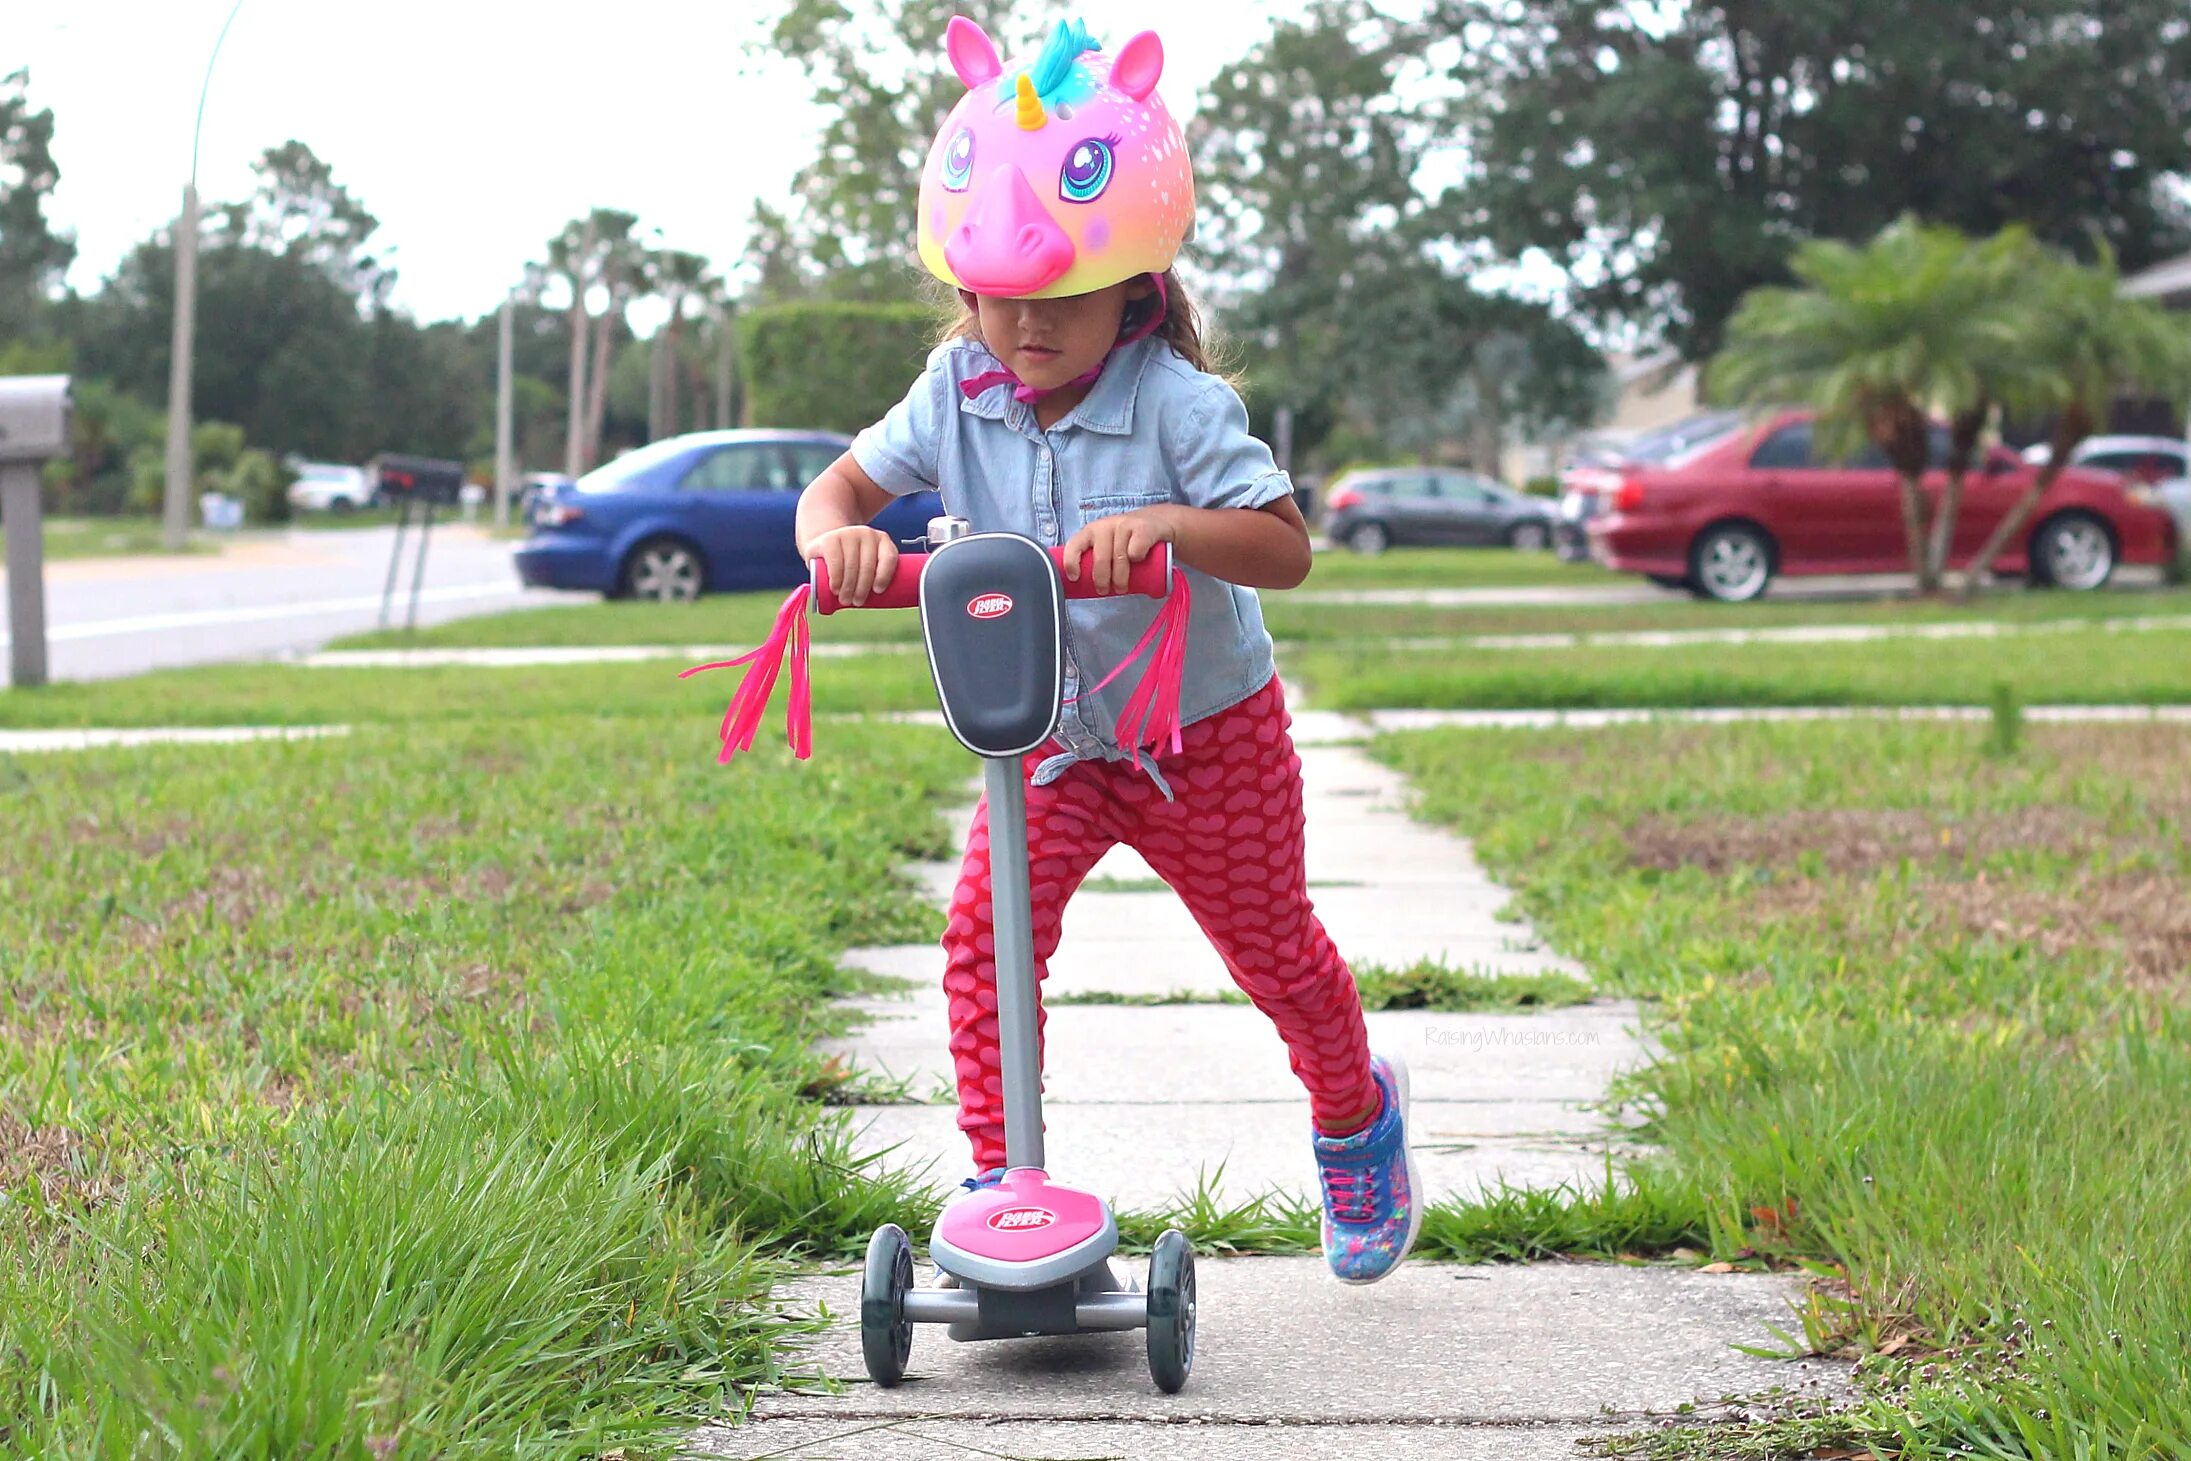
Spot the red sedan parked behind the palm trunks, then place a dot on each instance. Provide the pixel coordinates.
(1723, 518)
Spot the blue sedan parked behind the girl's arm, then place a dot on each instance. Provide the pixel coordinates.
(691, 516)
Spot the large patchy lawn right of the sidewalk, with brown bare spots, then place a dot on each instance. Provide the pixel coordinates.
(1925, 1026)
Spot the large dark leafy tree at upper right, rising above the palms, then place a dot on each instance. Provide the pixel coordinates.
(1771, 124)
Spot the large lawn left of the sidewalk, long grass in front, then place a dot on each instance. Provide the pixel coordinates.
(431, 1094)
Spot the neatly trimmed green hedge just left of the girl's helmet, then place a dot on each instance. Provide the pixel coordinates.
(831, 365)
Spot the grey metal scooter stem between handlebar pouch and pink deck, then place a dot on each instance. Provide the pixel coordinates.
(1018, 1031)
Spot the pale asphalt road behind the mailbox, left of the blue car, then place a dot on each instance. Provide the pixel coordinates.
(266, 595)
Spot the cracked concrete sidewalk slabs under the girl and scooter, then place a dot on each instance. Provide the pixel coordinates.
(1147, 1101)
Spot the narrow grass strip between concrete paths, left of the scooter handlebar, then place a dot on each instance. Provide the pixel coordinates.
(292, 695)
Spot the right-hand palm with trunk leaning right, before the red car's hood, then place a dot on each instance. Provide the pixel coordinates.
(2094, 345)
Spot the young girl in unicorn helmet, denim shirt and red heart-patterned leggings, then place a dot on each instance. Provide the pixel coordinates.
(1072, 404)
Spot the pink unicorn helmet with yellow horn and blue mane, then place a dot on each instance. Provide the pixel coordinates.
(1059, 176)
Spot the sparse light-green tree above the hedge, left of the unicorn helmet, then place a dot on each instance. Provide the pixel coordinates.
(880, 71)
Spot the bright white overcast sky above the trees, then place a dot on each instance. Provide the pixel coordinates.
(470, 128)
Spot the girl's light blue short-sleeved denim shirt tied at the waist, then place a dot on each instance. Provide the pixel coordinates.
(1151, 430)
